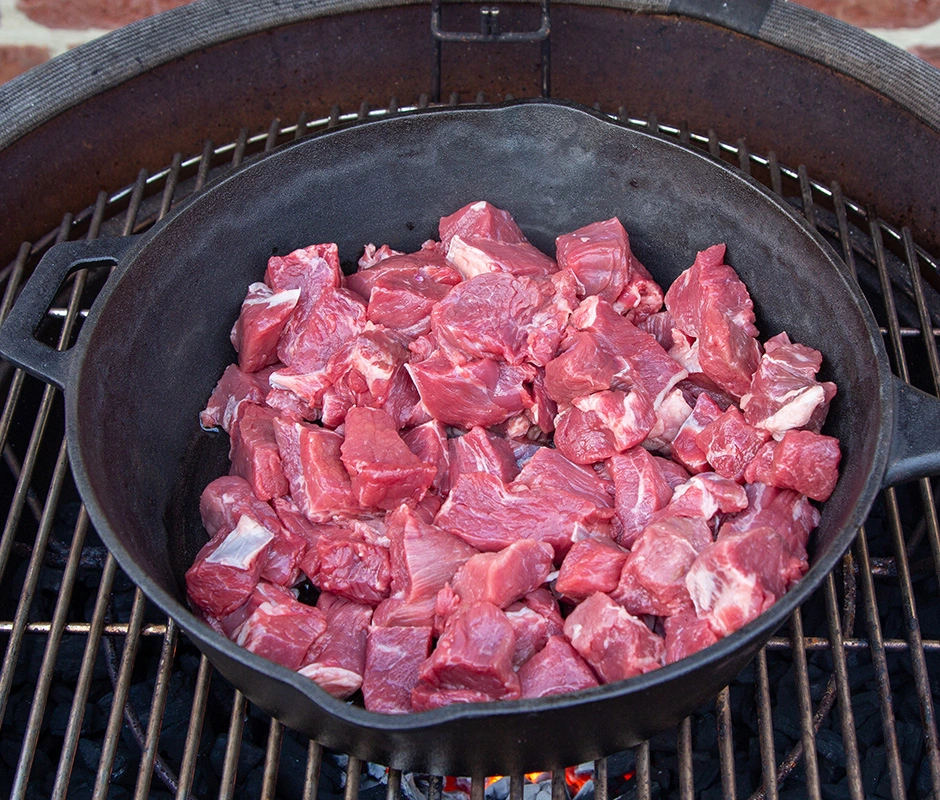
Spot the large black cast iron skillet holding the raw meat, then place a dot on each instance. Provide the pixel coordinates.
(156, 341)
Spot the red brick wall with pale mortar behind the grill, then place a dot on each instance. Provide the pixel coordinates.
(32, 31)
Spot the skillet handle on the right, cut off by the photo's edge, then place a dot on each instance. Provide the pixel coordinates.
(915, 443)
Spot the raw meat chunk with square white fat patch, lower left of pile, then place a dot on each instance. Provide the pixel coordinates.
(227, 569)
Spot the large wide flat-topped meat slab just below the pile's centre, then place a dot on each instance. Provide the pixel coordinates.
(490, 515)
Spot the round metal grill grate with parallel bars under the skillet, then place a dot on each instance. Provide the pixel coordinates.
(101, 696)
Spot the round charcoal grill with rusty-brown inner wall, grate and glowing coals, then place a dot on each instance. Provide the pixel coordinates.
(100, 696)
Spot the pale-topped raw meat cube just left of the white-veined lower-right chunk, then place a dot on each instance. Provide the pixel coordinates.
(653, 577)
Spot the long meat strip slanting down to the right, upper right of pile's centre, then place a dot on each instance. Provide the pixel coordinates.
(641, 360)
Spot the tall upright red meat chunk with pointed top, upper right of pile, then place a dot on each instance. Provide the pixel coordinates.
(711, 304)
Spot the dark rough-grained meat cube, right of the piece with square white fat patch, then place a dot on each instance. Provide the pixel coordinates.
(353, 569)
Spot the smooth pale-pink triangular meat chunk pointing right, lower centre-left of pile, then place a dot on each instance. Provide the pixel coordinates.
(423, 557)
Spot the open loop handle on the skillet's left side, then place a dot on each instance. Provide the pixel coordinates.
(18, 341)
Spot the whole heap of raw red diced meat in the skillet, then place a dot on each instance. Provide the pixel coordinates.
(506, 475)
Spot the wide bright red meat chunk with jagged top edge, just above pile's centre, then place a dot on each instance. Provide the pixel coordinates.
(482, 392)
